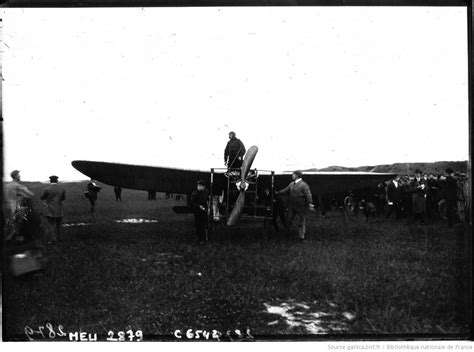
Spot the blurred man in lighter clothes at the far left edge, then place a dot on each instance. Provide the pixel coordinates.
(16, 196)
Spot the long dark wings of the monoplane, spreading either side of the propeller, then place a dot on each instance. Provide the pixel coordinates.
(183, 181)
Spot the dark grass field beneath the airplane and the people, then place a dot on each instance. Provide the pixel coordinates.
(350, 277)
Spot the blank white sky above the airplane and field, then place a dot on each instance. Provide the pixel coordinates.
(311, 87)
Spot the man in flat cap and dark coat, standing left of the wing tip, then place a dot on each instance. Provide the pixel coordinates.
(53, 197)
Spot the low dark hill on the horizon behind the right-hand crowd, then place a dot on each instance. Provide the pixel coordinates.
(436, 168)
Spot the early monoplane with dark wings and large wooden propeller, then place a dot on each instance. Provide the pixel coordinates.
(223, 181)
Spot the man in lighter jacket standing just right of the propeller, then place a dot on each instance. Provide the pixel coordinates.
(299, 202)
